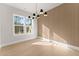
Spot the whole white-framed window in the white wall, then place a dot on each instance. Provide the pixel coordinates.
(22, 25)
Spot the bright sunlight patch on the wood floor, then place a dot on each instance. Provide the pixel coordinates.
(46, 42)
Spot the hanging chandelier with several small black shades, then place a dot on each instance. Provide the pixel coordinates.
(37, 15)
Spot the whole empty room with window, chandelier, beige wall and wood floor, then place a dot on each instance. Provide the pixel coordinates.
(39, 29)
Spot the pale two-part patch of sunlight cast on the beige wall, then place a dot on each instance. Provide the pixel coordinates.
(46, 34)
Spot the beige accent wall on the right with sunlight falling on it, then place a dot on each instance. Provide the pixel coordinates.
(61, 24)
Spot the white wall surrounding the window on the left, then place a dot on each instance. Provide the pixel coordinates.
(6, 19)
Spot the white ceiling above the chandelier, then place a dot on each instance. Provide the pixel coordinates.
(31, 7)
